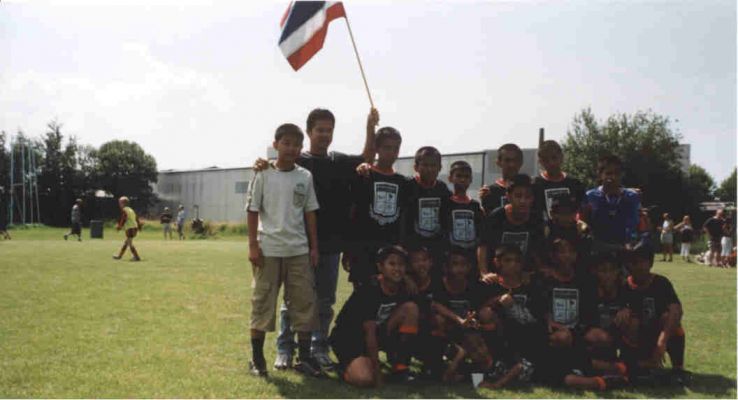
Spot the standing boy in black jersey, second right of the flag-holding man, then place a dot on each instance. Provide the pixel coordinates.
(428, 202)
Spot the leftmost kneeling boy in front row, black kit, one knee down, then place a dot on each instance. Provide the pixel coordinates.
(379, 315)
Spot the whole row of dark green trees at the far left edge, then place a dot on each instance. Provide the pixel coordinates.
(66, 170)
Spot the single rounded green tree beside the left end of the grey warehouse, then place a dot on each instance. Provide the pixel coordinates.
(124, 169)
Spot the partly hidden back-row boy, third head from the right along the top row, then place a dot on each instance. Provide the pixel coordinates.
(509, 160)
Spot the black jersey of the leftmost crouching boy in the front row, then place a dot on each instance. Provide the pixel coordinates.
(367, 303)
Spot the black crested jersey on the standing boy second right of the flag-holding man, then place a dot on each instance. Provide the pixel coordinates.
(426, 208)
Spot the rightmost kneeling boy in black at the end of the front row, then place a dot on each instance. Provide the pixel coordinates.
(657, 312)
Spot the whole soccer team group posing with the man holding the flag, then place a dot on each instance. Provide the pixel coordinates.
(542, 282)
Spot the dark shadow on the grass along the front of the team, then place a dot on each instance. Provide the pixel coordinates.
(702, 384)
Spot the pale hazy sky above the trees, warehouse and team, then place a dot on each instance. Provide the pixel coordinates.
(199, 84)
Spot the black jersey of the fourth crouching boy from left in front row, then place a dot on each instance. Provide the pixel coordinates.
(529, 306)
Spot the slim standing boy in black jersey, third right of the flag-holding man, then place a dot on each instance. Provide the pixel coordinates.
(464, 213)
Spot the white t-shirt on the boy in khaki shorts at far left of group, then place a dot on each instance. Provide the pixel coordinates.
(282, 198)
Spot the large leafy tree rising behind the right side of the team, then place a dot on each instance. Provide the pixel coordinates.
(648, 147)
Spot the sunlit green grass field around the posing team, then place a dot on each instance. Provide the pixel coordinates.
(75, 323)
